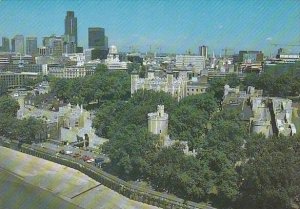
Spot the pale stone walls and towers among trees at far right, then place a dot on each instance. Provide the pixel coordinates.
(266, 115)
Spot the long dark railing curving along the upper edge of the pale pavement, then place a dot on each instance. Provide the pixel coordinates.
(126, 189)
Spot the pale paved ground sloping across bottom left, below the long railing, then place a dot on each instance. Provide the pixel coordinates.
(58, 181)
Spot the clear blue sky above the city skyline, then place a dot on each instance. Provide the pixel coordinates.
(174, 26)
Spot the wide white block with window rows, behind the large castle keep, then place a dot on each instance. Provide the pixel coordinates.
(194, 61)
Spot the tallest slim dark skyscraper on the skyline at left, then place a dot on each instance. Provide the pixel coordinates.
(70, 32)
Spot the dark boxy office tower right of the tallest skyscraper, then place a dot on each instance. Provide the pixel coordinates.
(98, 43)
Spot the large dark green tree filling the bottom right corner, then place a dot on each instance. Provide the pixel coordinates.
(270, 176)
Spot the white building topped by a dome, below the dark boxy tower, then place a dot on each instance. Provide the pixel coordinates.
(113, 61)
